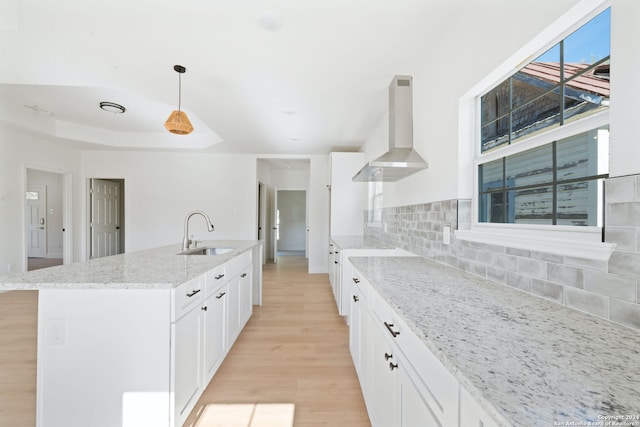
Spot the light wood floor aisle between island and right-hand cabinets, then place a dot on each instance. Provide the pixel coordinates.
(294, 349)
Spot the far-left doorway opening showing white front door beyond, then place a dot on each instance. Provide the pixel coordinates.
(44, 219)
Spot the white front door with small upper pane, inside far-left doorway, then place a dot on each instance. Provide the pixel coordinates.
(36, 199)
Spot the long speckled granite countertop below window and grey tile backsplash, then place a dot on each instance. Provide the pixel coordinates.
(527, 361)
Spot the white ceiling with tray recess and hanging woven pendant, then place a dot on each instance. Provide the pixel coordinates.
(263, 76)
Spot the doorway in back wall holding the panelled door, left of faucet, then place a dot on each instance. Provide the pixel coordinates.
(106, 217)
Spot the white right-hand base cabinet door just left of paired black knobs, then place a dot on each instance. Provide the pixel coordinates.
(383, 380)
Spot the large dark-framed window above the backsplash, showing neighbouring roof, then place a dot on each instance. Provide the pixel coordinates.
(557, 179)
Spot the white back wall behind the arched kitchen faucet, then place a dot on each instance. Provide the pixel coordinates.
(162, 188)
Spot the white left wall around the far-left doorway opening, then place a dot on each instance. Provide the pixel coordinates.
(20, 150)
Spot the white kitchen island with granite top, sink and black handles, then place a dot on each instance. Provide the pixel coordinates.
(133, 339)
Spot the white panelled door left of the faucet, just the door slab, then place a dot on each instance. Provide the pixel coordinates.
(105, 218)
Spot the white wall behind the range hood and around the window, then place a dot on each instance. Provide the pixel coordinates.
(472, 47)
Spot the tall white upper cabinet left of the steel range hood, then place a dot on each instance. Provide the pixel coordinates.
(347, 197)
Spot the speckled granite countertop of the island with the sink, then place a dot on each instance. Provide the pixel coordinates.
(158, 268)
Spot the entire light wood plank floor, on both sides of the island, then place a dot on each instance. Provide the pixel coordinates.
(294, 349)
